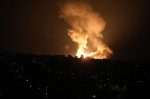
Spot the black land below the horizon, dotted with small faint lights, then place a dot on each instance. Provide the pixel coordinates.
(58, 77)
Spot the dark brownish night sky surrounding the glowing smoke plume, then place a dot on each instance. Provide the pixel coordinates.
(35, 27)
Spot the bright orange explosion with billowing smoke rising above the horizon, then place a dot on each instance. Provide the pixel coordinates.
(86, 26)
